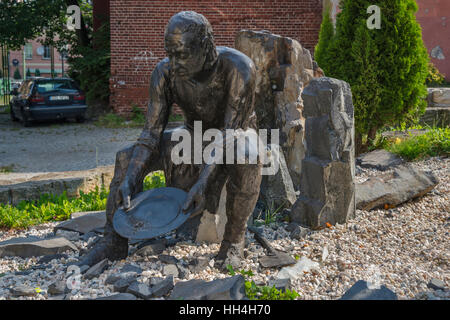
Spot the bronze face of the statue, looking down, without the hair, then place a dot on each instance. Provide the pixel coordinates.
(186, 55)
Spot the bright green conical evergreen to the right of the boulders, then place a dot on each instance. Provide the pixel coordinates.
(385, 67)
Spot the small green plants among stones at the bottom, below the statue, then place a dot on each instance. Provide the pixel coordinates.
(255, 292)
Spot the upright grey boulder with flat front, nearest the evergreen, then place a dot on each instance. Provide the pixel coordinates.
(327, 188)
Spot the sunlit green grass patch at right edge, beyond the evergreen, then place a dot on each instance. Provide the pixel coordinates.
(434, 142)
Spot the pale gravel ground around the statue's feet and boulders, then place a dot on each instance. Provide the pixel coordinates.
(402, 248)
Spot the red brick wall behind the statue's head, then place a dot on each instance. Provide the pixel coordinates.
(137, 34)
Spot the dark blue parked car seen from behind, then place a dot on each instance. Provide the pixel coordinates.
(47, 99)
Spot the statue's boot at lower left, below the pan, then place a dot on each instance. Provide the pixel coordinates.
(111, 246)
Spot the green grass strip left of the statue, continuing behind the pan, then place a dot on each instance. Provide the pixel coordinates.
(60, 207)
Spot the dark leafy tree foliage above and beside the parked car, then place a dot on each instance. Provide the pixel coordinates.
(87, 51)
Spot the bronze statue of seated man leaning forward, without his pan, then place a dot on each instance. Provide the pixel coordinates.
(215, 85)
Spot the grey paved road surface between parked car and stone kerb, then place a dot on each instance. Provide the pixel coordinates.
(60, 146)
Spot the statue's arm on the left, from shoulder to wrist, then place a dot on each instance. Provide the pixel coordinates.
(146, 149)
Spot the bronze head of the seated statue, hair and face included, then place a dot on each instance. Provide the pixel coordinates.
(189, 43)
